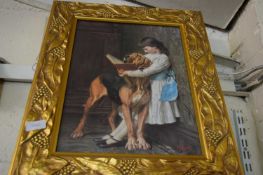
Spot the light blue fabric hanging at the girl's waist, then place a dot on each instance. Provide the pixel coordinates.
(169, 90)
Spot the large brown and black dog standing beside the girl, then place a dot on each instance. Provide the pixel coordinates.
(131, 94)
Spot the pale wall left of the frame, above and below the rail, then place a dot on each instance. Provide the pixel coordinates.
(21, 33)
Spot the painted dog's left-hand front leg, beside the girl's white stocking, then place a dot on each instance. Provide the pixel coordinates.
(125, 95)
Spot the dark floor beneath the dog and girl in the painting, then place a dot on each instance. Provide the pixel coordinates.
(97, 126)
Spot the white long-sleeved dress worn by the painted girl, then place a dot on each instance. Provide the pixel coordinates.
(160, 112)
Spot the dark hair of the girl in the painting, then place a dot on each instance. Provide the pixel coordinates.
(152, 42)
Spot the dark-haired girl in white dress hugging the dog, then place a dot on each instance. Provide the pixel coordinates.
(159, 111)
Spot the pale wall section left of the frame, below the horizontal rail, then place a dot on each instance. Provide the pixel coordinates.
(13, 97)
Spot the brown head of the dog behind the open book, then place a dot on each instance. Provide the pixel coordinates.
(139, 60)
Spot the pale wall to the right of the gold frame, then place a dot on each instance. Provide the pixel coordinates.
(246, 42)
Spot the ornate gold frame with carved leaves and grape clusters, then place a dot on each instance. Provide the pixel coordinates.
(34, 153)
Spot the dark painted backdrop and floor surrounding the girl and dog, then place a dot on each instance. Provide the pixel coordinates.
(93, 41)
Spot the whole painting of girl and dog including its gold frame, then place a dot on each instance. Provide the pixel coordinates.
(125, 90)
